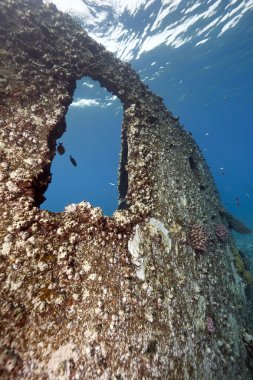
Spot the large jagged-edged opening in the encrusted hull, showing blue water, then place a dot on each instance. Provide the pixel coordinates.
(88, 169)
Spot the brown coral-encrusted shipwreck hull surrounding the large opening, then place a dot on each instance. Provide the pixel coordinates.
(85, 296)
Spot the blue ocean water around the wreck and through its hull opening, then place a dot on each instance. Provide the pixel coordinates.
(208, 85)
